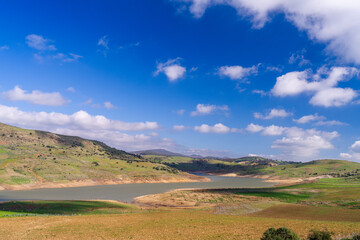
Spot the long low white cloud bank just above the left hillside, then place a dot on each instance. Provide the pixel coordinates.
(79, 120)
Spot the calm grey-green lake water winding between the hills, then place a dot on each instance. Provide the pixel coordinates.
(127, 192)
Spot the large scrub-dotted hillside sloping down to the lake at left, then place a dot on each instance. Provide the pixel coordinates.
(30, 158)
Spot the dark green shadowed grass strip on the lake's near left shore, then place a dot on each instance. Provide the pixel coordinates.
(63, 208)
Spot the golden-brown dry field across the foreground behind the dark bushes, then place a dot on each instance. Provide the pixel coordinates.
(176, 224)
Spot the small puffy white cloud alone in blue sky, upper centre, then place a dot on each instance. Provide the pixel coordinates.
(172, 69)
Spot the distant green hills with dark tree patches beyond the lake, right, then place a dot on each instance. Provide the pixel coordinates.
(261, 166)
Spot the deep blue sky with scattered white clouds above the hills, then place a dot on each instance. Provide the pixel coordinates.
(212, 77)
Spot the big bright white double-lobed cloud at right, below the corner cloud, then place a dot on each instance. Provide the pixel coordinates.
(324, 90)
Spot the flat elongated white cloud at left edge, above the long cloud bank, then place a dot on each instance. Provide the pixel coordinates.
(35, 97)
